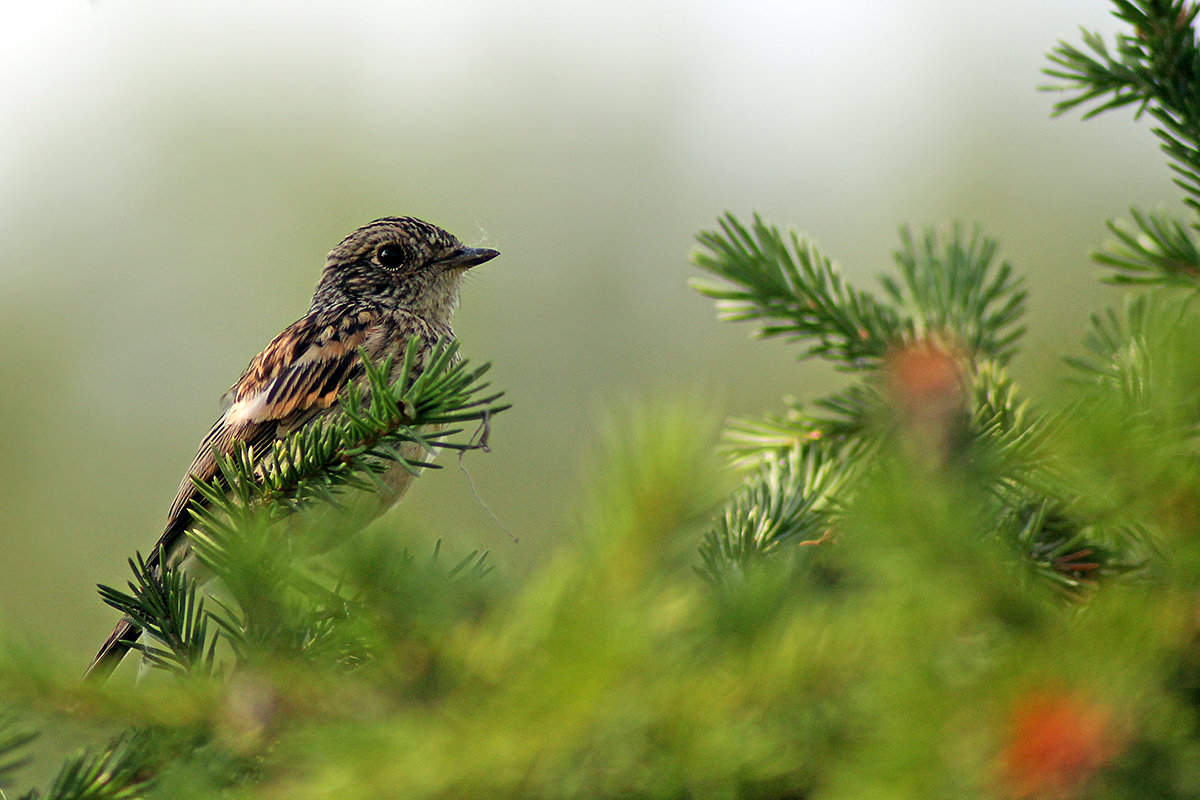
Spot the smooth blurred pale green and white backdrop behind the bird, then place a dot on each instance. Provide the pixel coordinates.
(173, 173)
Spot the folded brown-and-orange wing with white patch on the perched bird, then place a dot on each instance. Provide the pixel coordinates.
(293, 380)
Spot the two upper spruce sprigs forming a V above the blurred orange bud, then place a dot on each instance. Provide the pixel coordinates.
(949, 288)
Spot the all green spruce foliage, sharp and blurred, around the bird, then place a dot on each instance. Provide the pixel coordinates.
(926, 586)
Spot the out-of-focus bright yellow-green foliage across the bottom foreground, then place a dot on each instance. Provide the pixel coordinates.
(891, 664)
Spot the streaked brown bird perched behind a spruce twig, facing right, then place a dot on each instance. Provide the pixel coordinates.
(392, 280)
